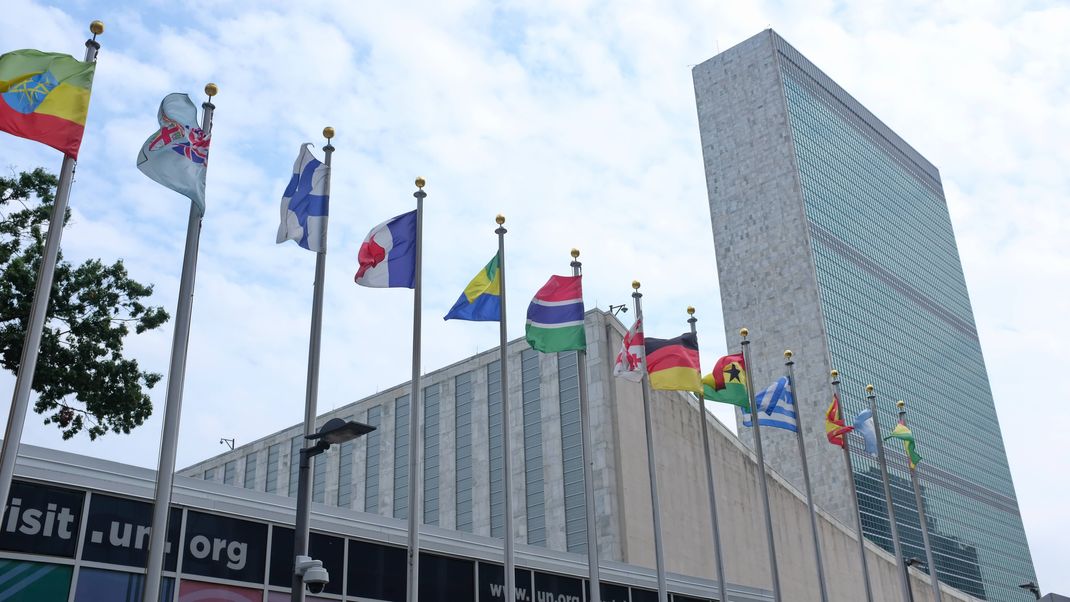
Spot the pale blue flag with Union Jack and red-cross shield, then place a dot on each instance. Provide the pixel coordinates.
(177, 155)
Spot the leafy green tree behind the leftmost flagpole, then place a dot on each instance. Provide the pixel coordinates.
(83, 379)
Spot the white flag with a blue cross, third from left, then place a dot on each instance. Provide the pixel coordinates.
(305, 203)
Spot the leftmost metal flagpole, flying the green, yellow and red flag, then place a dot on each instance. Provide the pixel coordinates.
(39, 308)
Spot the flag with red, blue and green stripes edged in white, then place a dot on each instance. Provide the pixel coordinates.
(556, 316)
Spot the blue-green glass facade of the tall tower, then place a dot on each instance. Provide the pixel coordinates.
(897, 314)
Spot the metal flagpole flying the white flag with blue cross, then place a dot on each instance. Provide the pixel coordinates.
(312, 396)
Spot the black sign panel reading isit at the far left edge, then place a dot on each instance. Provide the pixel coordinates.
(42, 520)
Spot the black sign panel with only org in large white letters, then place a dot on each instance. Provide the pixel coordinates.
(225, 548)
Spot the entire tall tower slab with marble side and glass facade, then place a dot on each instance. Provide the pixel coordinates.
(834, 240)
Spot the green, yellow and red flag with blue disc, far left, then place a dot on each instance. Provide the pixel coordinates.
(44, 97)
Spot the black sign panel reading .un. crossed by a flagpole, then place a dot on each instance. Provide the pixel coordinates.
(117, 532)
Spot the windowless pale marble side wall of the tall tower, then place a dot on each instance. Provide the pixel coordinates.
(765, 260)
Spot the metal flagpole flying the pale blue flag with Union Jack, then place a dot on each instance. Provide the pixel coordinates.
(176, 382)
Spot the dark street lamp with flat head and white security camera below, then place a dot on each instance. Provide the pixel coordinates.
(334, 431)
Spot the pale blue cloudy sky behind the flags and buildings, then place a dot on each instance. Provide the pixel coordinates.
(575, 119)
